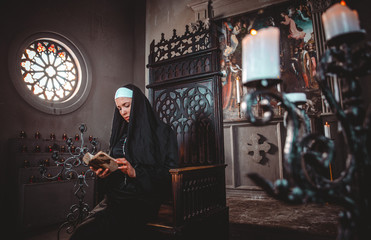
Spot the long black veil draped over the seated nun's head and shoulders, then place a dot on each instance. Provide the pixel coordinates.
(149, 140)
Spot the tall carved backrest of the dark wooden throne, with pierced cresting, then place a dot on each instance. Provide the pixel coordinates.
(185, 83)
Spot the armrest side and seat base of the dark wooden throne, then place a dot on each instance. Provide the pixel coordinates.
(198, 208)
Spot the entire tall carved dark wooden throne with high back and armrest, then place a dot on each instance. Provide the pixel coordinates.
(185, 93)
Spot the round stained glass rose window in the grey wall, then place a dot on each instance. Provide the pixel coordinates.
(49, 71)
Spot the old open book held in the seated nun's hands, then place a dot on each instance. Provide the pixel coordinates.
(100, 160)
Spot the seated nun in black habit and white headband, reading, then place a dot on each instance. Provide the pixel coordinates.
(145, 149)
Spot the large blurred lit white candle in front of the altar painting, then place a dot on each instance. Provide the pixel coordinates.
(260, 55)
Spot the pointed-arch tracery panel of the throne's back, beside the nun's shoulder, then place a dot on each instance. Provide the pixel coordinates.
(189, 109)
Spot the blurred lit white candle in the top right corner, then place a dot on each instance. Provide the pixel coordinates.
(339, 19)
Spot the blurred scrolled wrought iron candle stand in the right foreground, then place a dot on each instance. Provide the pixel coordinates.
(349, 58)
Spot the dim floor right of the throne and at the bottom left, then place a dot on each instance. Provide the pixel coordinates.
(261, 218)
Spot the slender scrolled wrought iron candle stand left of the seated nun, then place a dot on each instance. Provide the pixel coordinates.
(80, 210)
